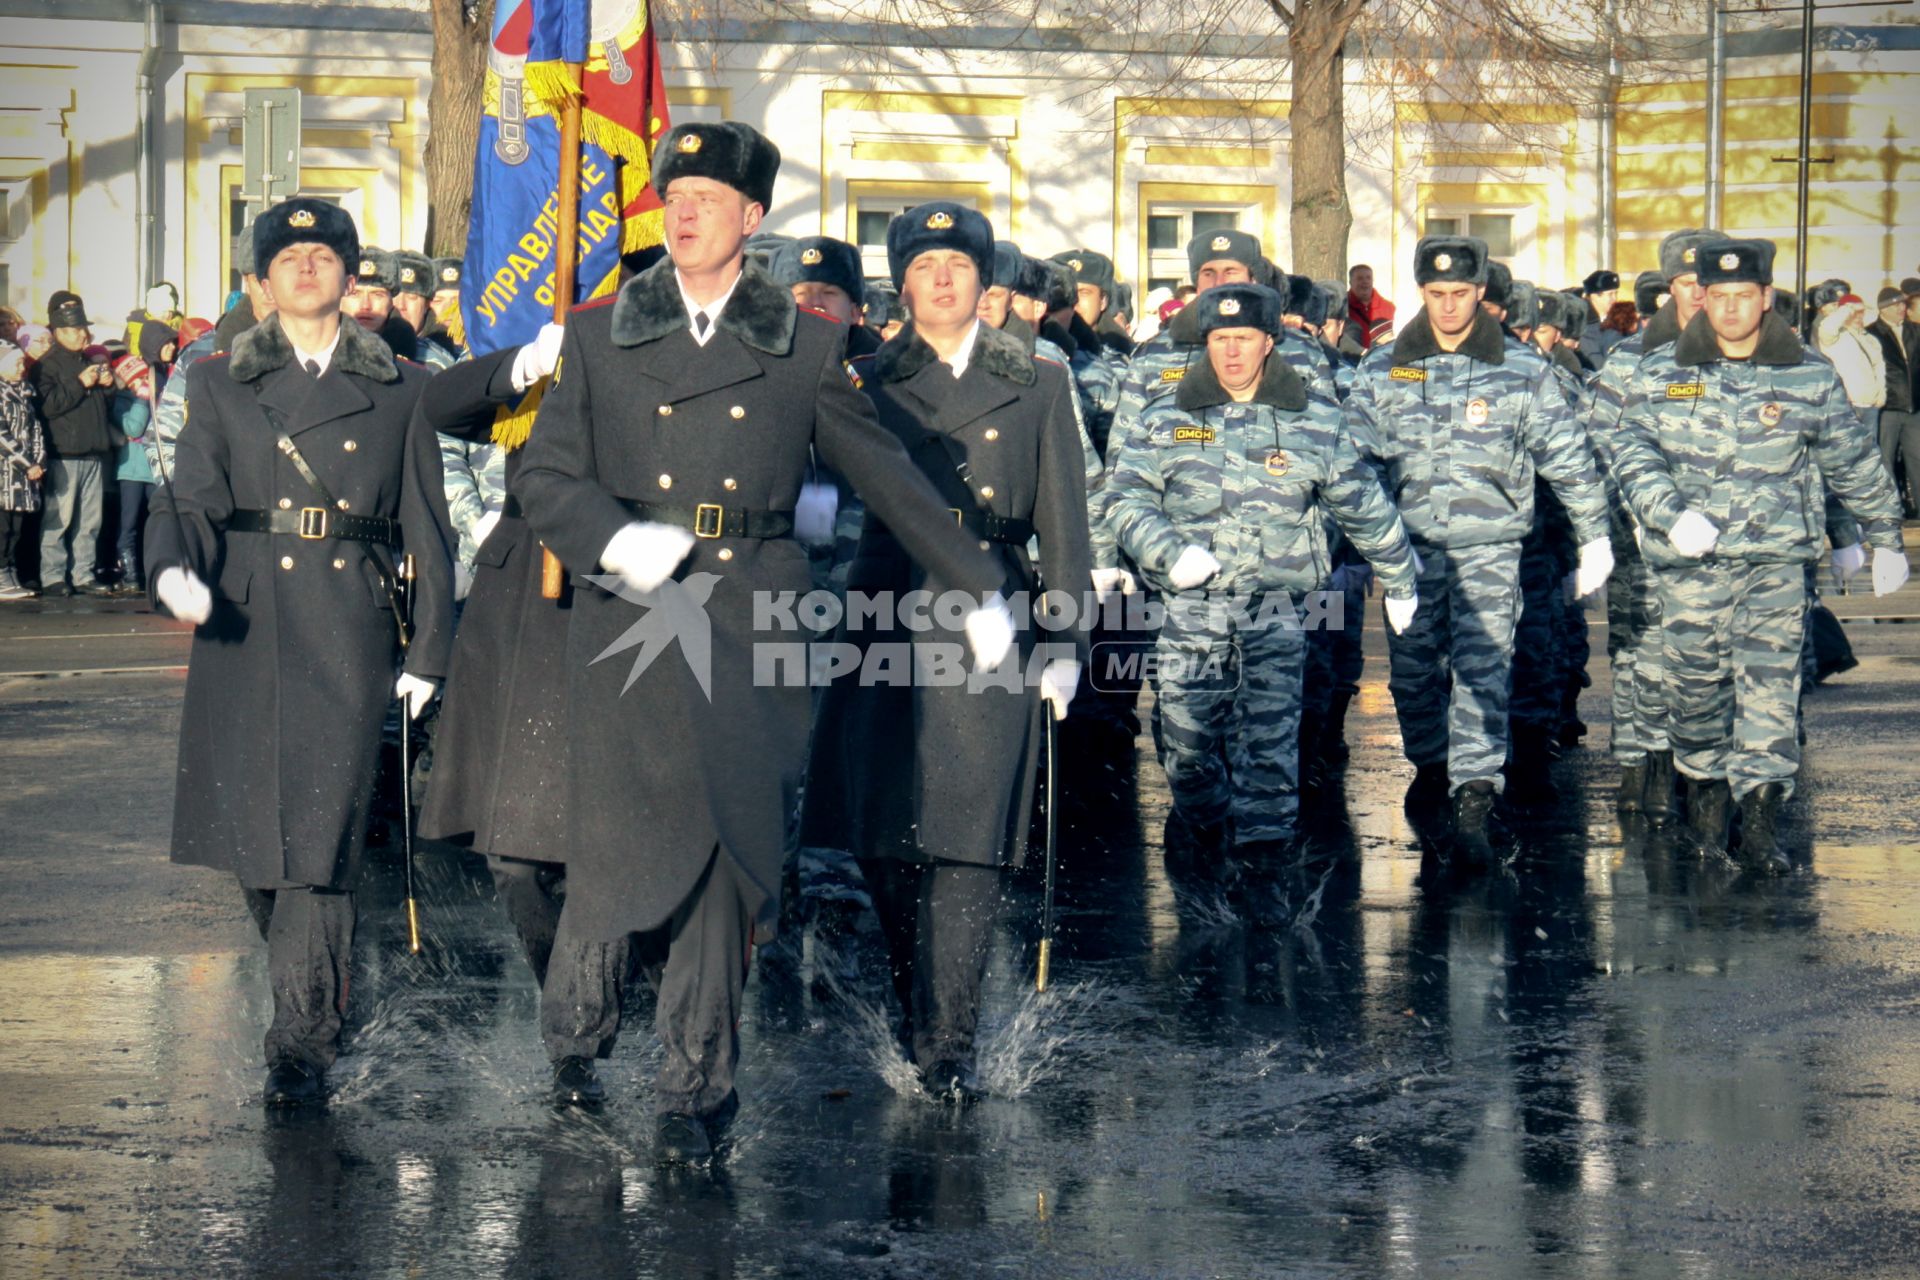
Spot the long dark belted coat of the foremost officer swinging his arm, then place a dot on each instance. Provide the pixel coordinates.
(663, 770)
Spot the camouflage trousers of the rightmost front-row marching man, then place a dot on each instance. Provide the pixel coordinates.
(1735, 636)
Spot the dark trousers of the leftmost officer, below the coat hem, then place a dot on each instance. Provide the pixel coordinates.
(310, 953)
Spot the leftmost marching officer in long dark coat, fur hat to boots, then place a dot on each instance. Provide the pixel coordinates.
(279, 534)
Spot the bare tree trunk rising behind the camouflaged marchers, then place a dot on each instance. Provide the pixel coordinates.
(1322, 216)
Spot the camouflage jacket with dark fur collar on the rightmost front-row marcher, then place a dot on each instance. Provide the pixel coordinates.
(1750, 446)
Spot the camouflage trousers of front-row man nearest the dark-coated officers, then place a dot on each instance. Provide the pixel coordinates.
(1230, 713)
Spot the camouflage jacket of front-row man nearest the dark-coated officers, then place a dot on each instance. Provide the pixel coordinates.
(1253, 485)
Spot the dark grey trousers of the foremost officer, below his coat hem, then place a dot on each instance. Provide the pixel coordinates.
(696, 962)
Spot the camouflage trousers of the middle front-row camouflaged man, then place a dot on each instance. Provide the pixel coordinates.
(1451, 673)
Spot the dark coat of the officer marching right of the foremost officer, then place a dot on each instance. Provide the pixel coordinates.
(942, 772)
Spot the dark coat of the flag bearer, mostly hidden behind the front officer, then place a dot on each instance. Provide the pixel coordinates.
(500, 761)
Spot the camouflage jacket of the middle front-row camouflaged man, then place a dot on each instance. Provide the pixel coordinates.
(1460, 437)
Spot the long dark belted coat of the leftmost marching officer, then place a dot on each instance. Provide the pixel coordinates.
(295, 671)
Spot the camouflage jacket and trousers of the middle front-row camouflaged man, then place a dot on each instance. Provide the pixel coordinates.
(1458, 440)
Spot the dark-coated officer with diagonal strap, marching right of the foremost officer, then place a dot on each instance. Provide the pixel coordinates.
(930, 782)
